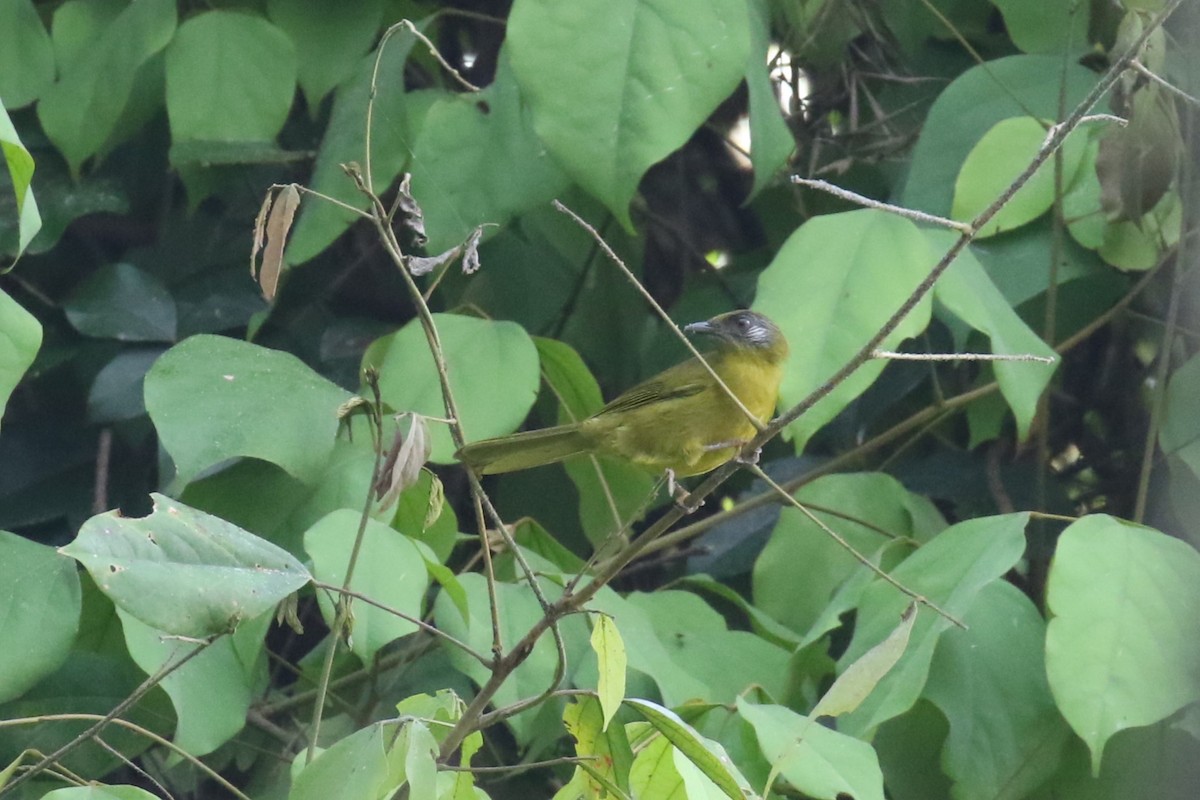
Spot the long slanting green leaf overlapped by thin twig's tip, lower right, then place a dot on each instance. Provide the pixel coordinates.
(951, 572)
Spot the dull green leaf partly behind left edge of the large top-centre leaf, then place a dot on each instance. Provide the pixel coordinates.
(477, 161)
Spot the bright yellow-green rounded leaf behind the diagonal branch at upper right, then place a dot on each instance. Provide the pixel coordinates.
(994, 164)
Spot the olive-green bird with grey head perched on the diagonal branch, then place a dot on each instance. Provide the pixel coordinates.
(681, 420)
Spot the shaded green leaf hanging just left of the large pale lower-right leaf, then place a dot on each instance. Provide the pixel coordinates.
(1006, 736)
